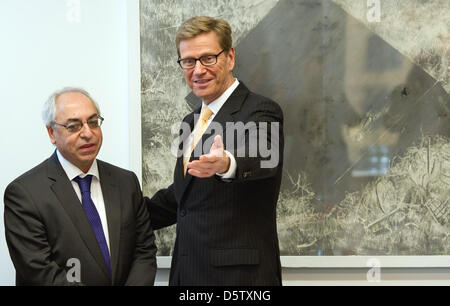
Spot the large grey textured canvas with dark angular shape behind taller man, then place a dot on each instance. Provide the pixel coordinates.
(364, 87)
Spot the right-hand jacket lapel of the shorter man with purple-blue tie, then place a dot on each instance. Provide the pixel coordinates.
(111, 197)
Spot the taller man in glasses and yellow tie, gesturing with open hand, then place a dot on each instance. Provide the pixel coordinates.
(223, 202)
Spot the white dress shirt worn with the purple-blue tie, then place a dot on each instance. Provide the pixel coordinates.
(96, 191)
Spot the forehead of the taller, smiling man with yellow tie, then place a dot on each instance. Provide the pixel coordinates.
(199, 45)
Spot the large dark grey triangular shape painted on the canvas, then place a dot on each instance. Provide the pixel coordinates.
(297, 56)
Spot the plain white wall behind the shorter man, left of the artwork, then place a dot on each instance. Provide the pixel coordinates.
(41, 51)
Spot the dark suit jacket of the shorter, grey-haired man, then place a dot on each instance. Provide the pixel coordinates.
(45, 226)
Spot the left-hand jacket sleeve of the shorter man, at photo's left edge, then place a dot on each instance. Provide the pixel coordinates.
(27, 240)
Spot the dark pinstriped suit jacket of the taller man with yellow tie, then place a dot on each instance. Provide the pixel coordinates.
(226, 231)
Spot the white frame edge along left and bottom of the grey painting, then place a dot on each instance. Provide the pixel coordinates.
(135, 165)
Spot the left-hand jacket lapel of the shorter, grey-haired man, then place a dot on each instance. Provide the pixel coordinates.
(67, 197)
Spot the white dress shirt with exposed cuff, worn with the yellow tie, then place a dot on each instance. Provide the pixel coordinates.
(215, 106)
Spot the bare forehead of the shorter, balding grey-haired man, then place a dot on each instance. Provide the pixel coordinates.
(74, 105)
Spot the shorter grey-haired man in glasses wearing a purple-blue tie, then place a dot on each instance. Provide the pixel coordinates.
(73, 219)
